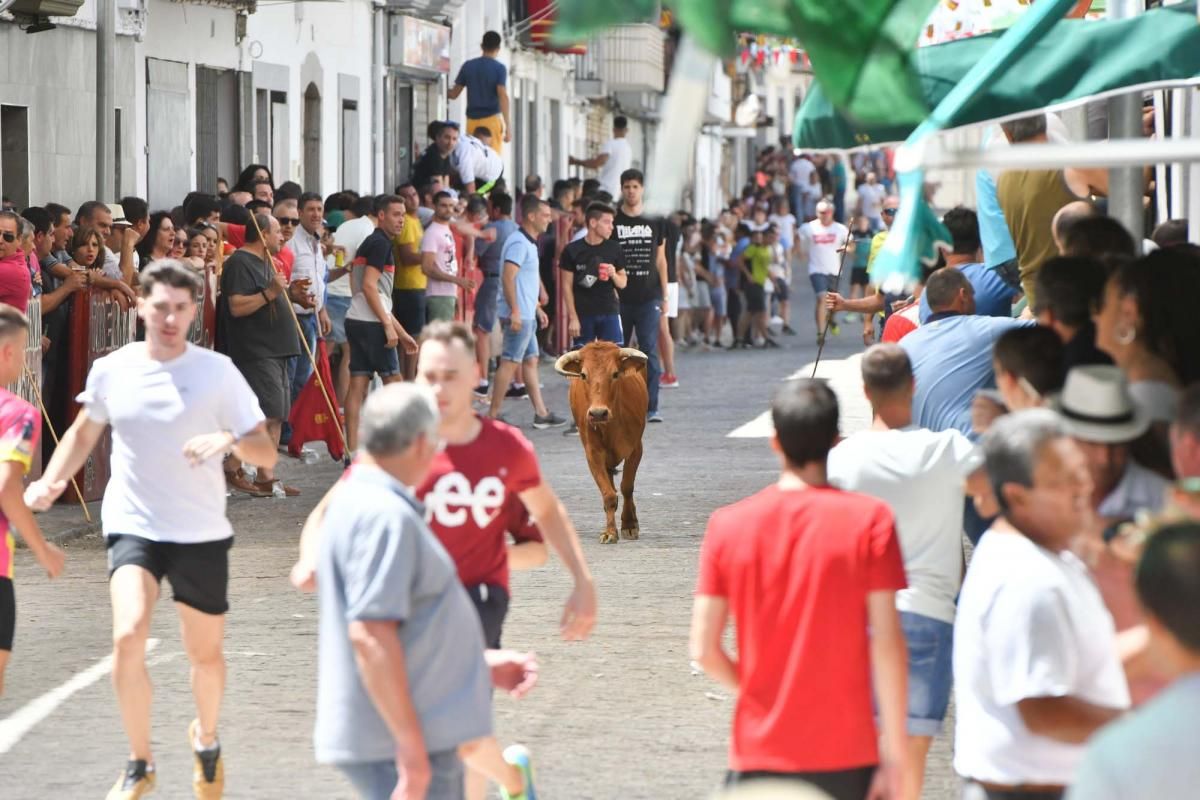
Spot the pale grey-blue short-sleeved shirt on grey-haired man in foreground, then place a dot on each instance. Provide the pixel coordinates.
(381, 563)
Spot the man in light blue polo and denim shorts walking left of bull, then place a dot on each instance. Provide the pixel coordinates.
(519, 312)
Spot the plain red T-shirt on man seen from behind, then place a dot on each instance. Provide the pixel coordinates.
(796, 568)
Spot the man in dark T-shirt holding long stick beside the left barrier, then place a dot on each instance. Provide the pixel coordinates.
(260, 336)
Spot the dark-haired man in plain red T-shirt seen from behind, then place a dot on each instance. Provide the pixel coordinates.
(809, 574)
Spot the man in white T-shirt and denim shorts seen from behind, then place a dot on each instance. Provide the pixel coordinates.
(922, 476)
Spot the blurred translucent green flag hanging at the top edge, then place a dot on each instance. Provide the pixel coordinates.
(861, 50)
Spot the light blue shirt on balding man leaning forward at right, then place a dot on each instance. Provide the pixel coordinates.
(952, 362)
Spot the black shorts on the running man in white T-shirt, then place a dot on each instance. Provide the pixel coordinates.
(199, 574)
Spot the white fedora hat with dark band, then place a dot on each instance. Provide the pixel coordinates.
(1096, 406)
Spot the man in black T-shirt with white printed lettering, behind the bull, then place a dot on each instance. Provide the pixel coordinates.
(643, 300)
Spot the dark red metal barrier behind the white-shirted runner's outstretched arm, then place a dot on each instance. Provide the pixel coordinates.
(98, 327)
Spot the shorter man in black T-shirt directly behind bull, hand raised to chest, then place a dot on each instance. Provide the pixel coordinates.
(597, 269)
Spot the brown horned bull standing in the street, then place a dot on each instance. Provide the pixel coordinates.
(609, 402)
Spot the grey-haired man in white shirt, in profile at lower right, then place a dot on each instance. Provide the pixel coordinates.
(1036, 664)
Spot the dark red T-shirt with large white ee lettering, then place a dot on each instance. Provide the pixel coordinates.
(465, 498)
